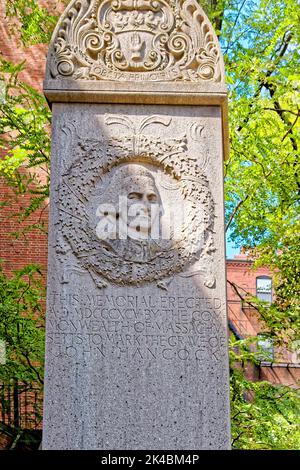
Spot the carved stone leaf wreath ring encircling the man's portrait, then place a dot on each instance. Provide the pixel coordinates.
(96, 158)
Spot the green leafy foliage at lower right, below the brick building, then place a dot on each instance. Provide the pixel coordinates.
(263, 416)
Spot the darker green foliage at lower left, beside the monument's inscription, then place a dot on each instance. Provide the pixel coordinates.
(22, 335)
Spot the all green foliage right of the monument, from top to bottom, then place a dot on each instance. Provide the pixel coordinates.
(260, 42)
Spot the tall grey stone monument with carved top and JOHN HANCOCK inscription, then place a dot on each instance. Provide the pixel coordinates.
(136, 351)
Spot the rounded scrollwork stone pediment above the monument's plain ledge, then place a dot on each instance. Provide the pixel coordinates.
(135, 40)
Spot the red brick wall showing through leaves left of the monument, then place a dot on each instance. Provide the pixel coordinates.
(31, 248)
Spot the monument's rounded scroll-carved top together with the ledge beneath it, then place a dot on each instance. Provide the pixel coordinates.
(156, 47)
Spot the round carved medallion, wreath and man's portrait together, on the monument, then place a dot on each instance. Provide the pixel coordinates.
(144, 210)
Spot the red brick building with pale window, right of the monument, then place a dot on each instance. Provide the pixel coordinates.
(278, 366)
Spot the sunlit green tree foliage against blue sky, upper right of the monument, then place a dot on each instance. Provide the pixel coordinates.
(263, 172)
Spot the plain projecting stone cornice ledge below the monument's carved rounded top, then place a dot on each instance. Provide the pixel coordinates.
(153, 93)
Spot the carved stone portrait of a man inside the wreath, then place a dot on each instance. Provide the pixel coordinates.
(130, 214)
